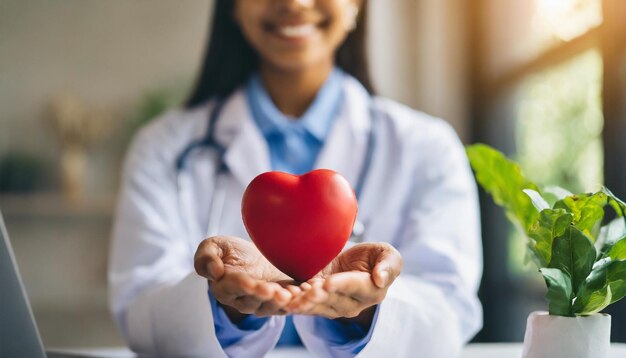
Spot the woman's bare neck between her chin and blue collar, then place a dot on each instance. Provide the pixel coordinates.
(293, 91)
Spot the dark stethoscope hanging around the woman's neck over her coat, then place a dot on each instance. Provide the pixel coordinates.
(217, 203)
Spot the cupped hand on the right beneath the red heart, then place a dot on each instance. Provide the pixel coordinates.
(351, 285)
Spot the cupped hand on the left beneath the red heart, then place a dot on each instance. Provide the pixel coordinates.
(242, 279)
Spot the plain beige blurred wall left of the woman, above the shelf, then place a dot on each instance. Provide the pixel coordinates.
(110, 55)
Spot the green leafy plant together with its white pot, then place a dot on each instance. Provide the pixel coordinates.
(578, 242)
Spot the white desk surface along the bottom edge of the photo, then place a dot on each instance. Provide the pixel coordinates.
(479, 350)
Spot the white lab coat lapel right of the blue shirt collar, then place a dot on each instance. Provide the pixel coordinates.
(345, 147)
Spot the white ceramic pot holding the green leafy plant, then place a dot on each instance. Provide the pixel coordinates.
(568, 337)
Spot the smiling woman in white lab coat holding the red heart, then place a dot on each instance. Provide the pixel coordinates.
(284, 86)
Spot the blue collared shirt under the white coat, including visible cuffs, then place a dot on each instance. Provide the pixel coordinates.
(294, 145)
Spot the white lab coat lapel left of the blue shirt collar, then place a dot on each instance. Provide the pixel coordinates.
(247, 154)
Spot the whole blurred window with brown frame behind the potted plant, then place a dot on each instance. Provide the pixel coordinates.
(549, 88)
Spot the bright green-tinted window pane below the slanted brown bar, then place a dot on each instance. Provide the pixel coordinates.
(559, 124)
